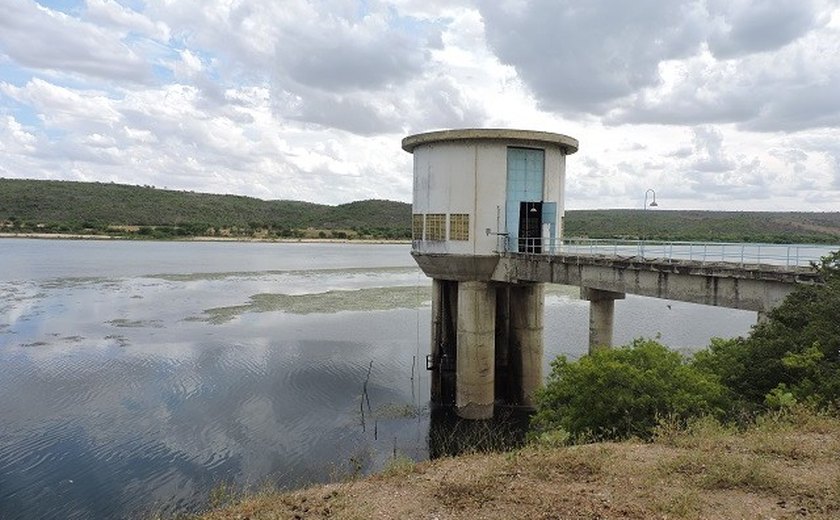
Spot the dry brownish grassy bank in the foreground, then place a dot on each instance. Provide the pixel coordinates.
(782, 467)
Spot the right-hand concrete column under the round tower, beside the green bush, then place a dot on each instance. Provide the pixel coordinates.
(526, 330)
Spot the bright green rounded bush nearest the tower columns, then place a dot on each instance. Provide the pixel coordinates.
(623, 392)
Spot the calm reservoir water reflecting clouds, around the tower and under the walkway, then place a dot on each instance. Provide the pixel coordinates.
(136, 377)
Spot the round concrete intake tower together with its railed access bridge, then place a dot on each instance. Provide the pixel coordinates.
(487, 227)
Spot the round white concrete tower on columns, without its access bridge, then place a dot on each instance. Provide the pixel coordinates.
(478, 194)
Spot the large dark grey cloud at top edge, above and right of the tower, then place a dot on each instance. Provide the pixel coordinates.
(580, 57)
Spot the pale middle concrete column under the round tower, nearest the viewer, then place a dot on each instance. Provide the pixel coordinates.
(475, 363)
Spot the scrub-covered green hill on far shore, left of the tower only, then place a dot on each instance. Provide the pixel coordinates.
(30, 206)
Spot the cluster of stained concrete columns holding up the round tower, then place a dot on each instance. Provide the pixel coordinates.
(487, 345)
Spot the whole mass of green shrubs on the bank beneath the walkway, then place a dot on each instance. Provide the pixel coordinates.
(791, 358)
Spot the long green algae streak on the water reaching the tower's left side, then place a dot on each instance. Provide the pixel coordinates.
(358, 300)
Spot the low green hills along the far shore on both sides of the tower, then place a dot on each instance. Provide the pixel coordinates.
(85, 207)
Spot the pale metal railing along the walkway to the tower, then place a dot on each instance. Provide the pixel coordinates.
(788, 255)
